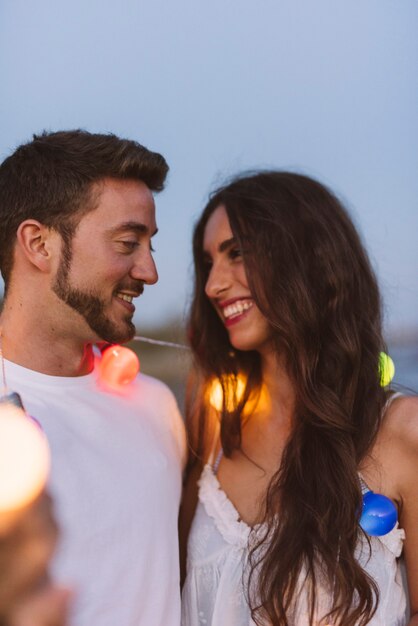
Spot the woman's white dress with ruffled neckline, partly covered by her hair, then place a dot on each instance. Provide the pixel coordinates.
(214, 593)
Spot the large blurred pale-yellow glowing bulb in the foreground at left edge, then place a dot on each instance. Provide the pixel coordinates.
(24, 459)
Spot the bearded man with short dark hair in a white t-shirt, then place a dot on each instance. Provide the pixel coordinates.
(77, 217)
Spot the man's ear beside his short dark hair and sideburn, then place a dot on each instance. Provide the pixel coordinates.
(38, 243)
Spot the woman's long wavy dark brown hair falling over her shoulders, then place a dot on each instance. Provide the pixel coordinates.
(311, 278)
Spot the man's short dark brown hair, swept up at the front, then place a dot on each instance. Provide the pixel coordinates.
(50, 179)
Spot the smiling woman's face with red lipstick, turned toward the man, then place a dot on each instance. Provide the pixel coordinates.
(227, 286)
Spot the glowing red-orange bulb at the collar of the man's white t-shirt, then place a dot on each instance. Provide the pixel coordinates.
(118, 366)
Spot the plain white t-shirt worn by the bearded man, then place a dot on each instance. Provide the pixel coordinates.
(116, 484)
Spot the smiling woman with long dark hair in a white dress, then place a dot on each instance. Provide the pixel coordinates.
(285, 299)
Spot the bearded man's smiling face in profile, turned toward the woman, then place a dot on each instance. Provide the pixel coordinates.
(109, 259)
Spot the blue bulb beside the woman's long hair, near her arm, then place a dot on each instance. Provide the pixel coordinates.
(379, 514)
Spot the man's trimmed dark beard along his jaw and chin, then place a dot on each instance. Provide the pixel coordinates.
(89, 305)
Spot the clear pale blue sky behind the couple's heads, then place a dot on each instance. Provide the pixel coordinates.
(328, 88)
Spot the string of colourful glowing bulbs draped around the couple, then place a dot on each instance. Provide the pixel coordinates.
(24, 452)
